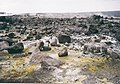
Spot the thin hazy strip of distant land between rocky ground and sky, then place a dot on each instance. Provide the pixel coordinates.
(68, 15)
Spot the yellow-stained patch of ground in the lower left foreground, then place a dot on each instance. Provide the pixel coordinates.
(17, 68)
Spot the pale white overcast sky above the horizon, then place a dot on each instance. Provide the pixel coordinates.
(58, 6)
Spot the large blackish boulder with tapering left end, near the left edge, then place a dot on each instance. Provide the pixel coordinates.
(17, 48)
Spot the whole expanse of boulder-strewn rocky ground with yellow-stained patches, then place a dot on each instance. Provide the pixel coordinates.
(82, 50)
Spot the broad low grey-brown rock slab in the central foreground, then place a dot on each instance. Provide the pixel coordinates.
(45, 60)
